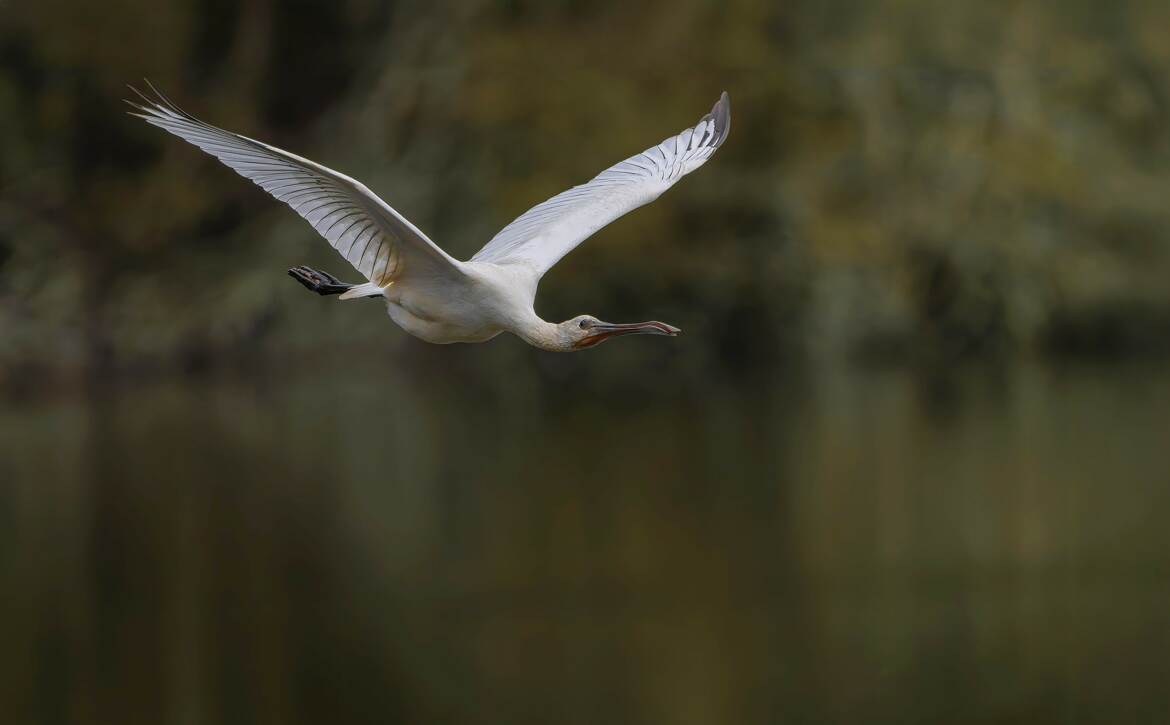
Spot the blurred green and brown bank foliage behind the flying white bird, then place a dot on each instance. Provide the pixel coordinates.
(905, 179)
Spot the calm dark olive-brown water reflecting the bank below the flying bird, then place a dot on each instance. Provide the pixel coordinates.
(395, 548)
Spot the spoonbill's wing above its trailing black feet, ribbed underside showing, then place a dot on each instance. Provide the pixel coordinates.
(374, 238)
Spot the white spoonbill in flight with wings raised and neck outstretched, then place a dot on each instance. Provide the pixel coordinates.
(430, 294)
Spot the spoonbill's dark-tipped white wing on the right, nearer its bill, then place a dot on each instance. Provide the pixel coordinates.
(549, 231)
